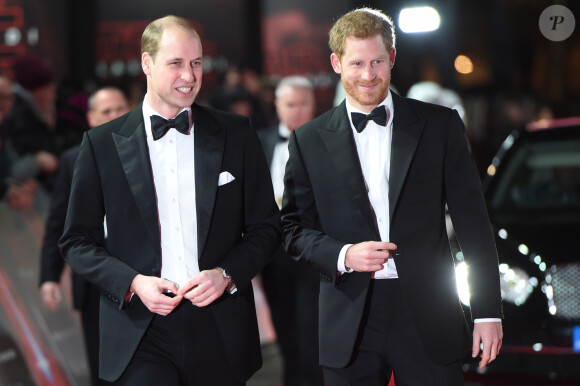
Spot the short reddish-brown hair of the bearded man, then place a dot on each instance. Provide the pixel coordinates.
(361, 23)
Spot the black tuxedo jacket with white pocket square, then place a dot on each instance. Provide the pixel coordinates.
(238, 228)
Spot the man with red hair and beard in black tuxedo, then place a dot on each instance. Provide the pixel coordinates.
(365, 191)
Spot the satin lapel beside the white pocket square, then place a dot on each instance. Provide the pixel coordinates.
(209, 148)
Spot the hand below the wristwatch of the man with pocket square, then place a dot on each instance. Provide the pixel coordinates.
(205, 287)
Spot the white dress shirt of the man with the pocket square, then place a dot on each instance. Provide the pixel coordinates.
(173, 166)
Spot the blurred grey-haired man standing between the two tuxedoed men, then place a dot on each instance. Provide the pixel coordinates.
(292, 287)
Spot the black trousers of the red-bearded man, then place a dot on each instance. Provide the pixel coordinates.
(388, 342)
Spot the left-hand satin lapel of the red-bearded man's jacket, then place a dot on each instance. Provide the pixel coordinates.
(339, 142)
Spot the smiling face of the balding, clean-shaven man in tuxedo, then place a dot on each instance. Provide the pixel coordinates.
(174, 74)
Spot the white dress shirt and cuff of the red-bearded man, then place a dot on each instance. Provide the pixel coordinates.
(374, 151)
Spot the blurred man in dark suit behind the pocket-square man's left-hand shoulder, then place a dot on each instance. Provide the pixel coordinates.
(105, 104)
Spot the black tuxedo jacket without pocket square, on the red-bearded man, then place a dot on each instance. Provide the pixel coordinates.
(326, 206)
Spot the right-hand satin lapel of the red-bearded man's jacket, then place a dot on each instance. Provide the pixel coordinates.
(407, 130)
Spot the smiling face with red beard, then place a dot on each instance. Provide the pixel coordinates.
(365, 71)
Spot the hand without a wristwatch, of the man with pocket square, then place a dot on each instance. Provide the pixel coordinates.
(150, 291)
